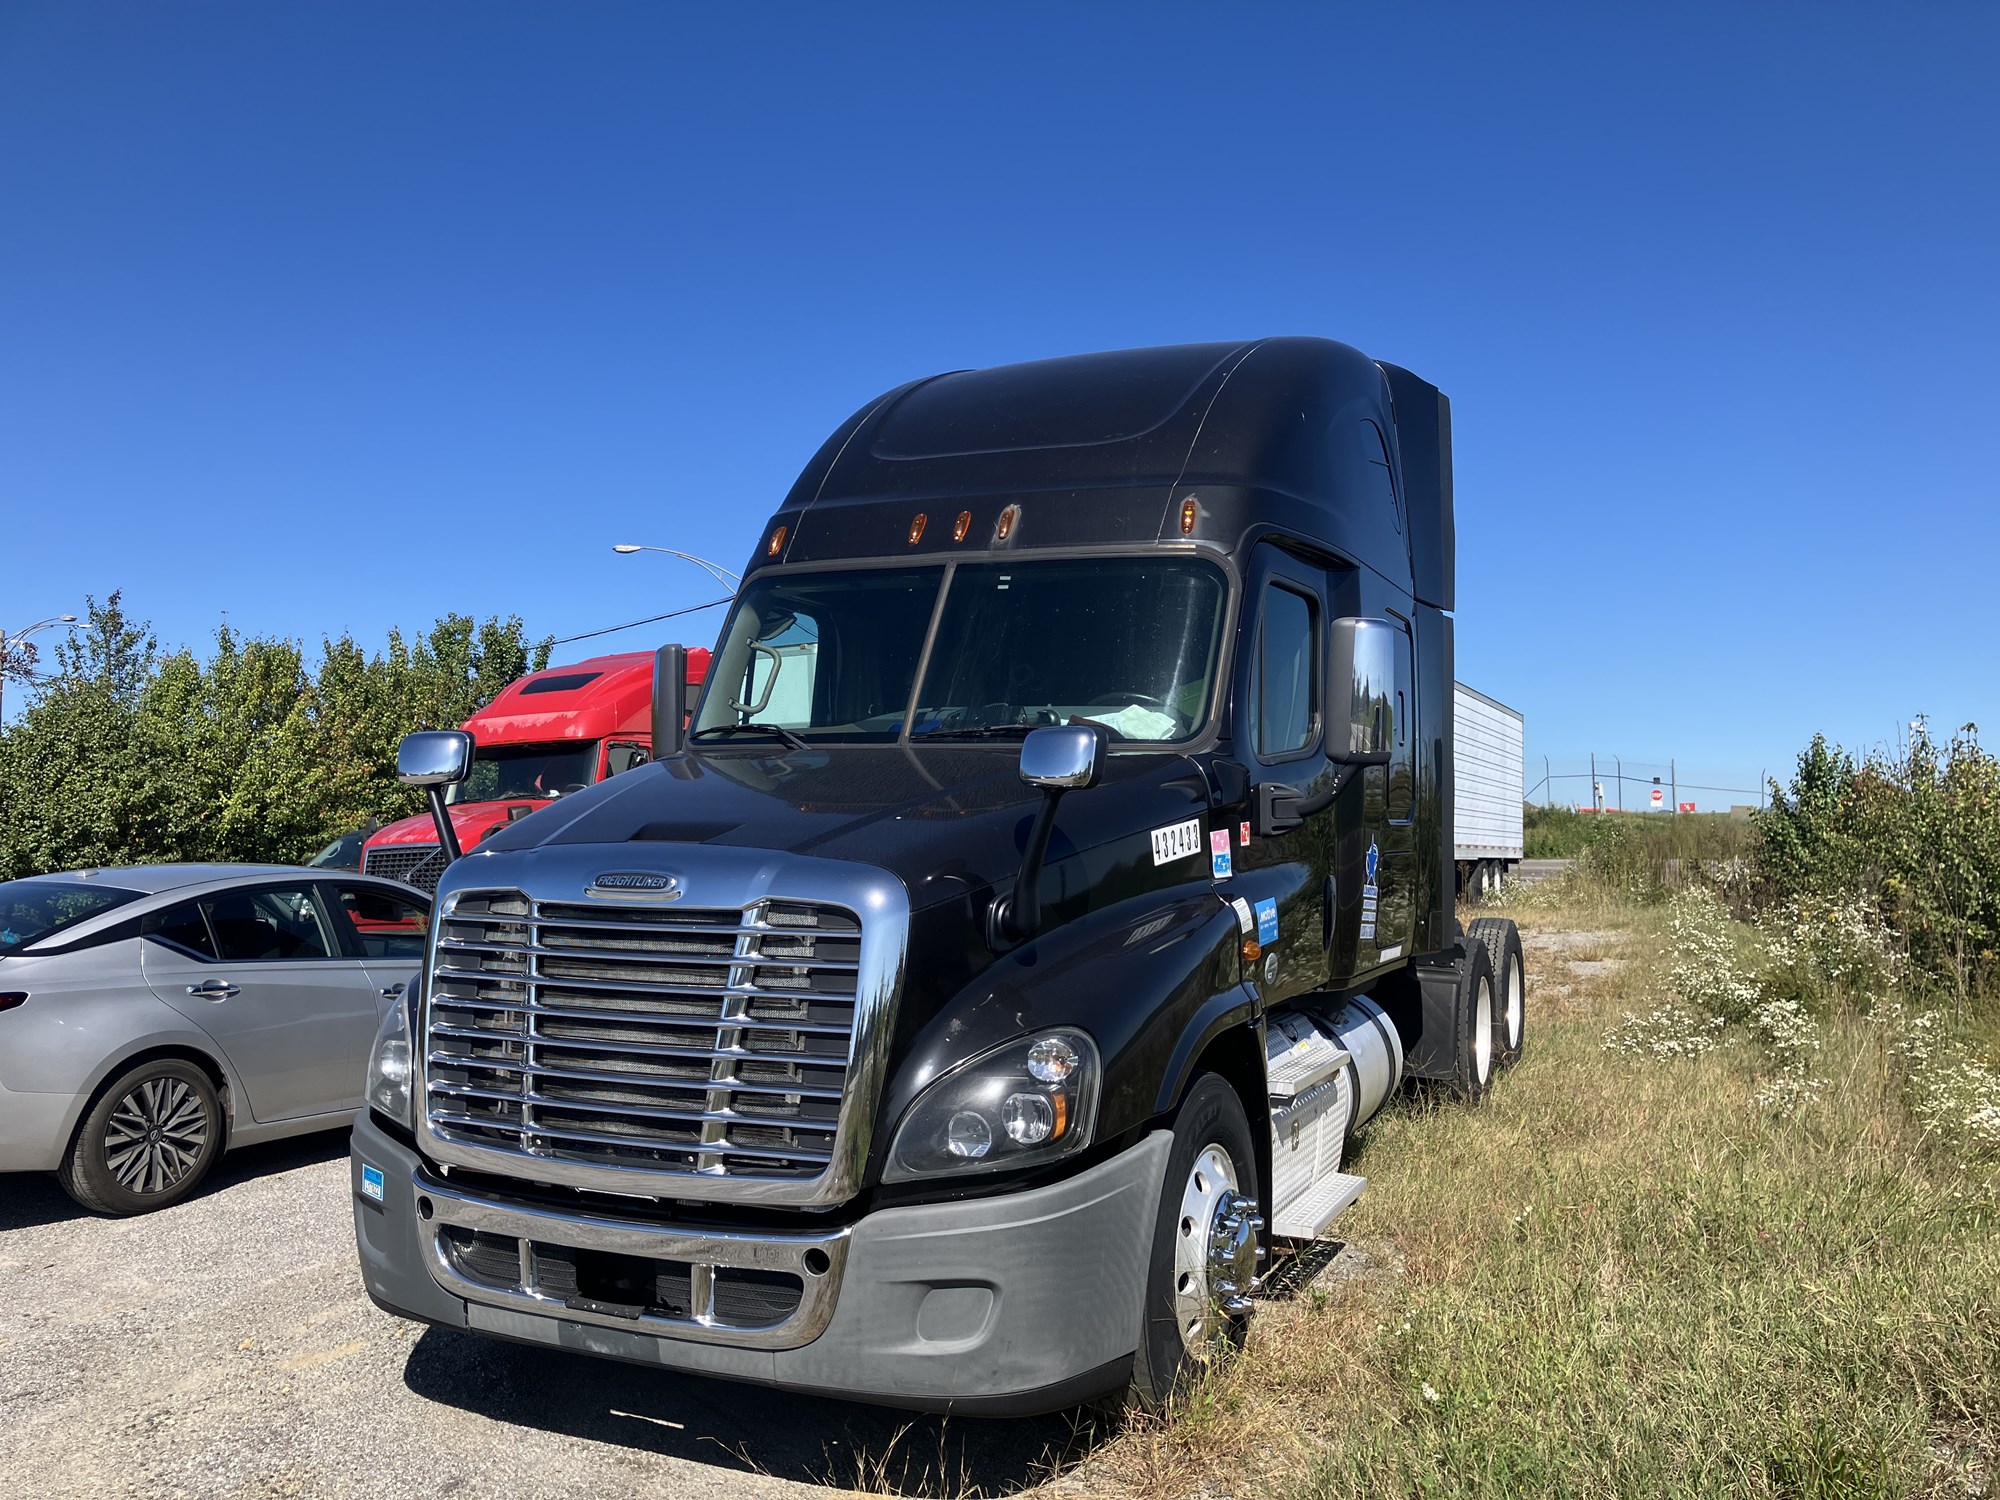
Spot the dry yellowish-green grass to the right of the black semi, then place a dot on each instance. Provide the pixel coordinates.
(1621, 1277)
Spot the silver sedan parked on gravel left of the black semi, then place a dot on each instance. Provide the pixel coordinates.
(155, 1015)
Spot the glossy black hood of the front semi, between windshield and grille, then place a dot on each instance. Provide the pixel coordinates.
(947, 821)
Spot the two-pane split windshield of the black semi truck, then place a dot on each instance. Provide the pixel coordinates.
(1125, 643)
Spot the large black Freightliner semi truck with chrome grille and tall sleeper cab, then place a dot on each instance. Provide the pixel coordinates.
(989, 981)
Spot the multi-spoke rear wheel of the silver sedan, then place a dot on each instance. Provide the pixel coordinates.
(147, 1143)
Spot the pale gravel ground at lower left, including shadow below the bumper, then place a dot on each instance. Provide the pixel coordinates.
(227, 1349)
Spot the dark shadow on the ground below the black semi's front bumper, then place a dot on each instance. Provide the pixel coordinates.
(749, 1429)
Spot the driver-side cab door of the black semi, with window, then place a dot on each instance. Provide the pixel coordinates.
(1281, 859)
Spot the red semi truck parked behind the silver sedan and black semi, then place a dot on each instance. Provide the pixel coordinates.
(549, 733)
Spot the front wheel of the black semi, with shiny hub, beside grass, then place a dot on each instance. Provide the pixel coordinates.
(1205, 1245)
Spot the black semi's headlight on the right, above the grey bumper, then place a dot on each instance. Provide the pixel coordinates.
(1021, 1105)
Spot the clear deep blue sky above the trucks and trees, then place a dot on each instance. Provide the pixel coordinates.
(343, 317)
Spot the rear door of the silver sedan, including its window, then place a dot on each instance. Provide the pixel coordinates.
(265, 973)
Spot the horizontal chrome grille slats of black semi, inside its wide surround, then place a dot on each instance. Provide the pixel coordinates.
(693, 1041)
